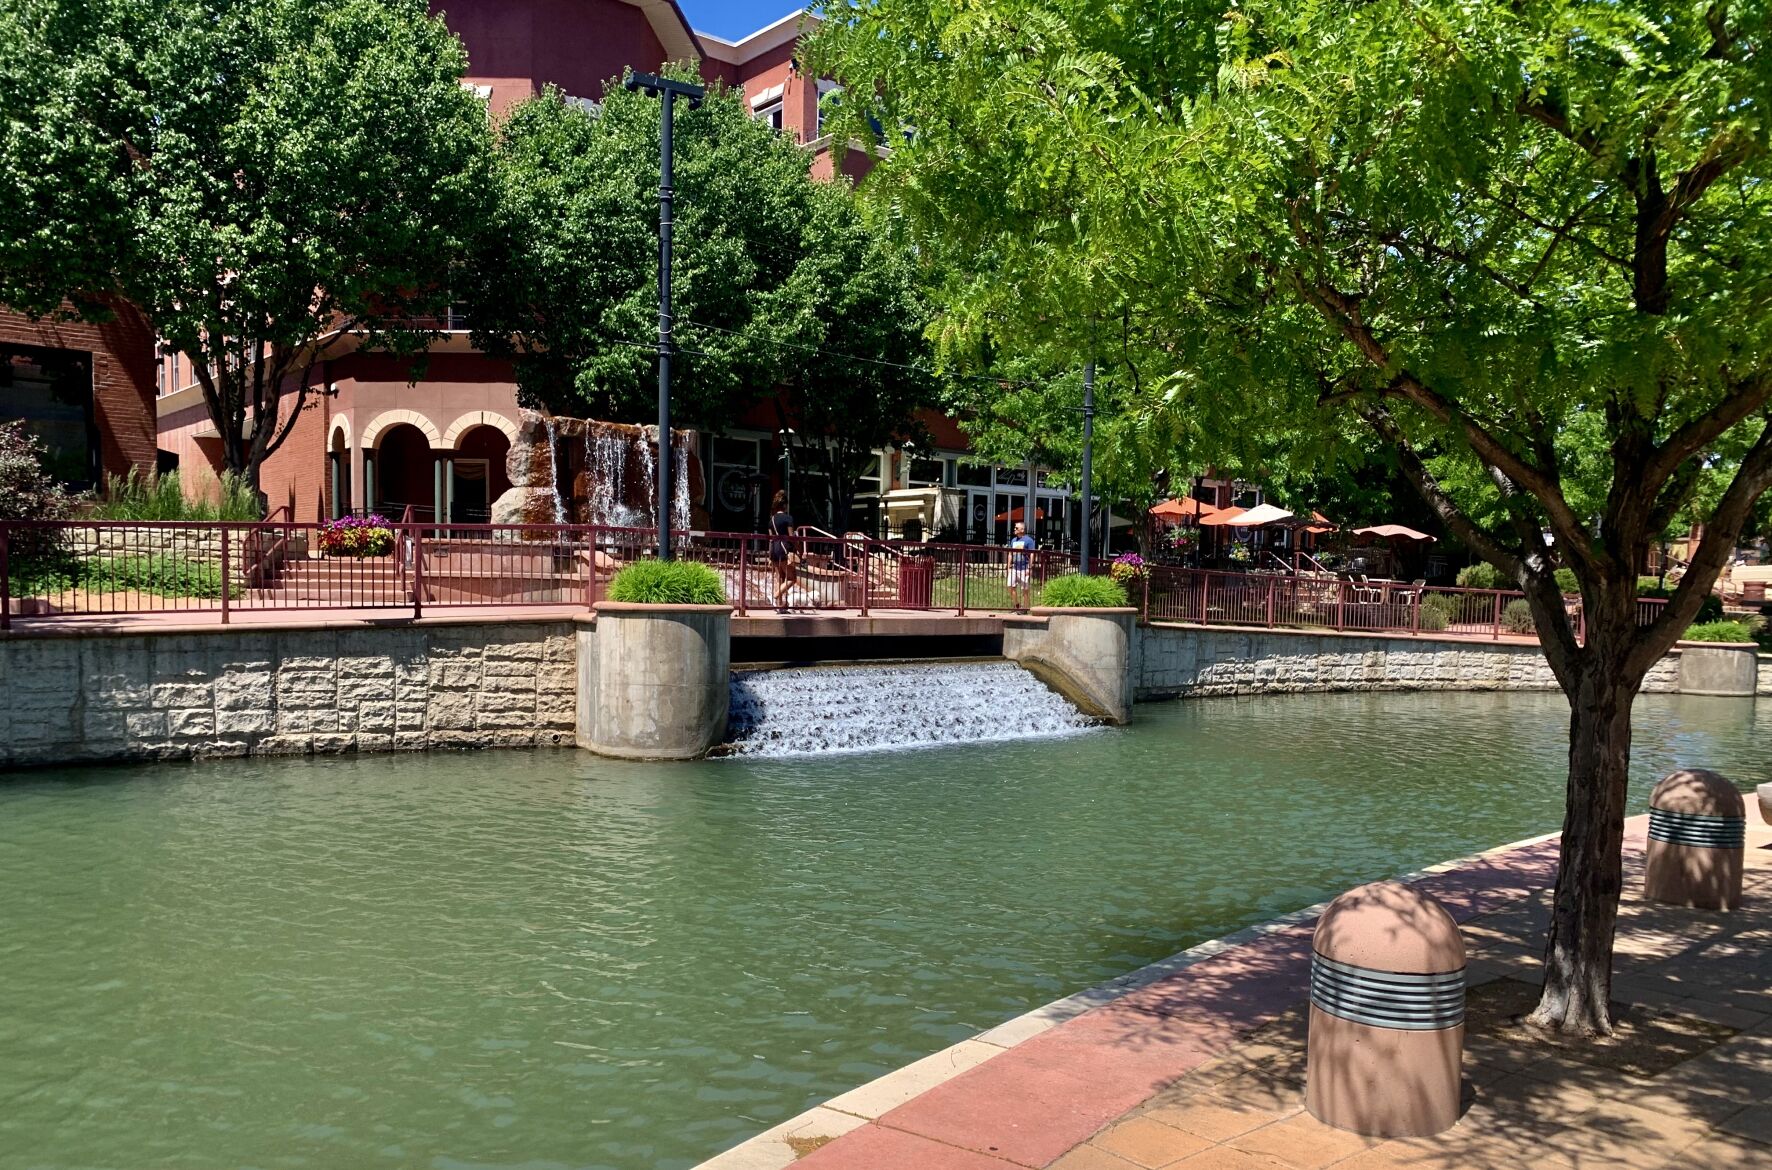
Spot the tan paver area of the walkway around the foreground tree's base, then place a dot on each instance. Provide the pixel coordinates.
(1688, 1080)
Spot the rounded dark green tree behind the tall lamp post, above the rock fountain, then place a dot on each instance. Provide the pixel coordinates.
(777, 283)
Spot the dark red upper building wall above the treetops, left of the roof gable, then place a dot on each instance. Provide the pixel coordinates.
(517, 47)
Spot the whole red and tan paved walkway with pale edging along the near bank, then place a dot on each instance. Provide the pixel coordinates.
(1204, 1068)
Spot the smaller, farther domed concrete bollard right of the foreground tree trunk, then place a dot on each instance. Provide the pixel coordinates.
(1698, 831)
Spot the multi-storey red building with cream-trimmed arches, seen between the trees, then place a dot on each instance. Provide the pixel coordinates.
(378, 442)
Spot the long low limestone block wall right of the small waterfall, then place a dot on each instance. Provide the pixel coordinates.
(1192, 660)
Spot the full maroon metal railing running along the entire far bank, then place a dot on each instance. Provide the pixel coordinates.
(279, 565)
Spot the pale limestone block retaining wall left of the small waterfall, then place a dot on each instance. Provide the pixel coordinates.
(242, 692)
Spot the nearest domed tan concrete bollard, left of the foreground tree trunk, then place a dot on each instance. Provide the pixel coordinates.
(1387, 1031)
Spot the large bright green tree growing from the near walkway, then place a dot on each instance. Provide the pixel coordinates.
(1477, 233)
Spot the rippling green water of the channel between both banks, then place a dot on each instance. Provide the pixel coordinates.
(548, 960)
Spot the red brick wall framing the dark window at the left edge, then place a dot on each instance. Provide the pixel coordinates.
(123, 378)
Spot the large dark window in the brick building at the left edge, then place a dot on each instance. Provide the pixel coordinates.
(52, 393)
